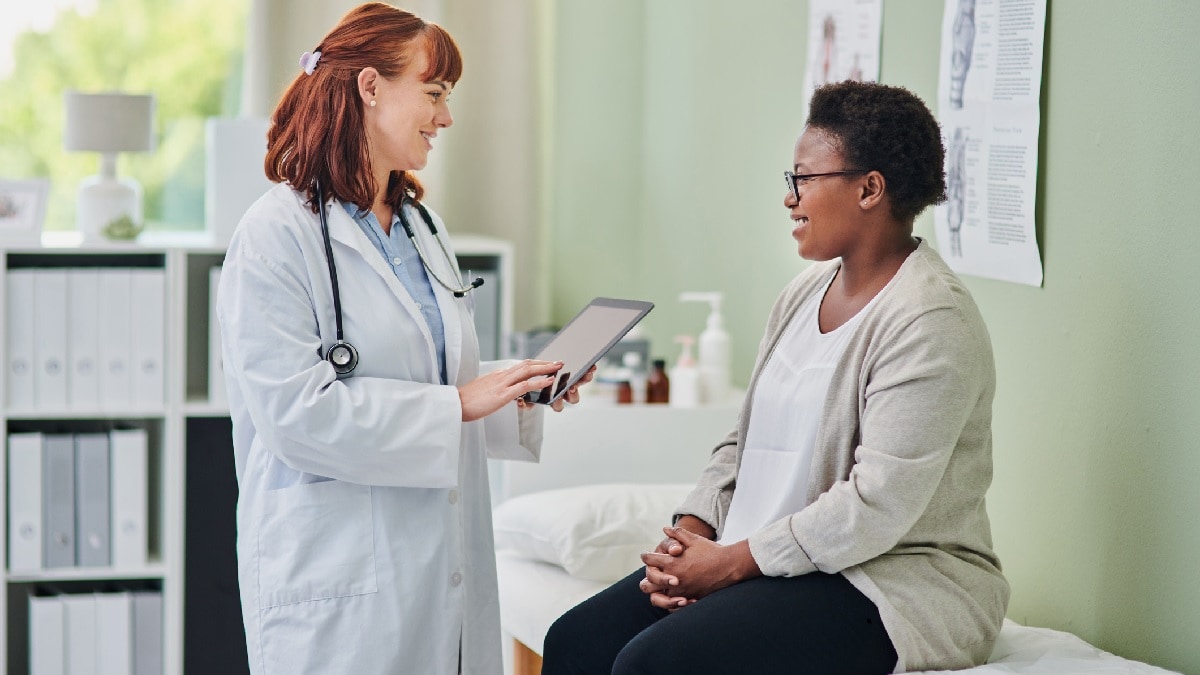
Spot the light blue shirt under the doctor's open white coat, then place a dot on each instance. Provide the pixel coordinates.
(400, 254)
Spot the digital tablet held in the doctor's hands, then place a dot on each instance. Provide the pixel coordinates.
(585, 341)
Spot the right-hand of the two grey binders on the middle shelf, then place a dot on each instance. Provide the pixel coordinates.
(92, 500)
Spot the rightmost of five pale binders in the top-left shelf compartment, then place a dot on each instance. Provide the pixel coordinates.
(148, 294)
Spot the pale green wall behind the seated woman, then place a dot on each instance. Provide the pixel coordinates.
(670, 124)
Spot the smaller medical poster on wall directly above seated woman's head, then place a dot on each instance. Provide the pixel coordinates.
(844, 43)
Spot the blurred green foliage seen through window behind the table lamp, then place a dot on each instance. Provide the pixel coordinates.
(188, 53)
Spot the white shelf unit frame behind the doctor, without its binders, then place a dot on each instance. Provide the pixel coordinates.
(191, 485)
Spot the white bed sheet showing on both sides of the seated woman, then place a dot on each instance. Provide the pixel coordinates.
(535, 594)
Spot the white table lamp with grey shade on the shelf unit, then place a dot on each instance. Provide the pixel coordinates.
(109, 124)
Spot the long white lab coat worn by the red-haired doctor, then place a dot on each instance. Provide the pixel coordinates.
(364, 517)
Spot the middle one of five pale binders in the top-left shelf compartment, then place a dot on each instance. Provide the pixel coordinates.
(83, 344)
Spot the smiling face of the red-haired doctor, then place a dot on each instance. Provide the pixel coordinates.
(407, 116)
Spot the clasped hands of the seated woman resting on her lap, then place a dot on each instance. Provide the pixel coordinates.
(704, 568)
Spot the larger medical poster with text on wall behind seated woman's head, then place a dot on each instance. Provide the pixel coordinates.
(988, 94)
